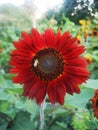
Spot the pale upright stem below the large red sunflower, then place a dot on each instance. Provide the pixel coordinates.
(41, 127)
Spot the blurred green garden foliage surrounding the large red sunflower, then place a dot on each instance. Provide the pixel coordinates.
(19, 113)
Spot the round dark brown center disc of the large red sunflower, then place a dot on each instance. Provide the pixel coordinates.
(48, 64)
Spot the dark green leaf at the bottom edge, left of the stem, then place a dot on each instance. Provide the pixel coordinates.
(22, 122)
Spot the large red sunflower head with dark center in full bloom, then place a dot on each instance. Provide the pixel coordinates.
(48, 64)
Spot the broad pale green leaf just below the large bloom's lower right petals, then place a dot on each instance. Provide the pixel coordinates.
(79, 100)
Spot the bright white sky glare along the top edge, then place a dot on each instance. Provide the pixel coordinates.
(41, 6)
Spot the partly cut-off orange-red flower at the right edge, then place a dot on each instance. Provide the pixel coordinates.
(95, 103)
